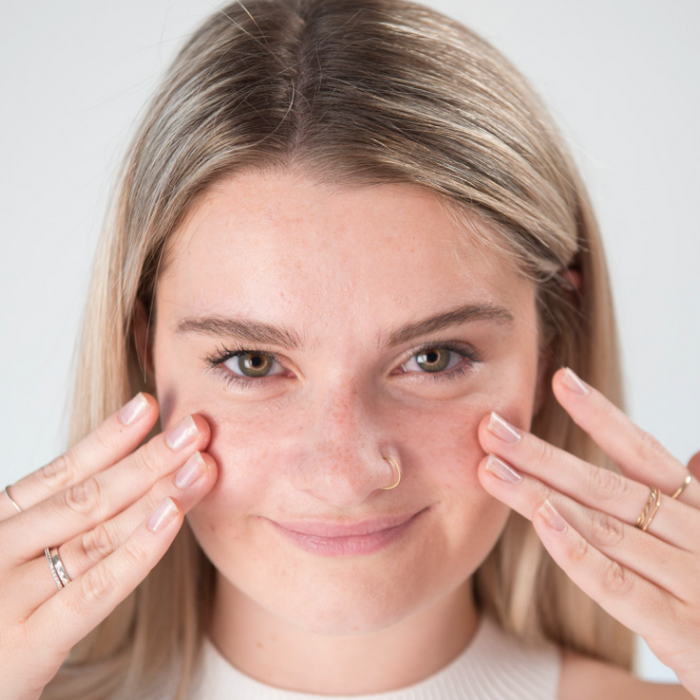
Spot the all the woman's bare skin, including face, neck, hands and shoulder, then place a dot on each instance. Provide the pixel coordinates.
(342, 269)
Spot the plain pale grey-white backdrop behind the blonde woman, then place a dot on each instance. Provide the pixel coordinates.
(621, 77)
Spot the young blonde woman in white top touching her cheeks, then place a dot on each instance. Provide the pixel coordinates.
(355, 288)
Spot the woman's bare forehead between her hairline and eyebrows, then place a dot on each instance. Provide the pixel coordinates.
(281, 243)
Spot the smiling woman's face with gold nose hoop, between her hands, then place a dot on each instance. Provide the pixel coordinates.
(372, 325)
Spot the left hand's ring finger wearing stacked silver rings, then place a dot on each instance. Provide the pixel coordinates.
(32, 583)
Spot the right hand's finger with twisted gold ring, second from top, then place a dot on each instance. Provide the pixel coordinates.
(675, 523)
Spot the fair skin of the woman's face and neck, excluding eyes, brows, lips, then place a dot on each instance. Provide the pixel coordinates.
(341, 268)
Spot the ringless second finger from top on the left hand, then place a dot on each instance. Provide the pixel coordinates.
(82, 506)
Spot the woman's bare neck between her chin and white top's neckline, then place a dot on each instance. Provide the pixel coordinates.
(266, 648)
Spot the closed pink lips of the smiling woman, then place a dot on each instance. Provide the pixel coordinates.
(332, 538)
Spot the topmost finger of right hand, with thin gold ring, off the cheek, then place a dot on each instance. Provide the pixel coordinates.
(638, 454)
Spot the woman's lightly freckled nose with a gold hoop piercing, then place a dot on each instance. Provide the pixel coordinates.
(342, 462)
